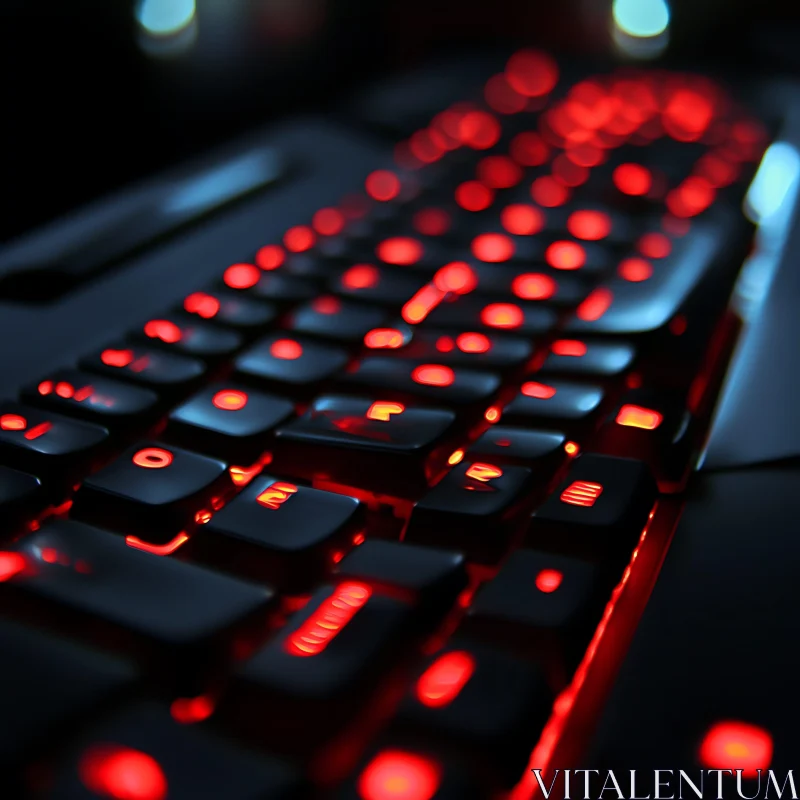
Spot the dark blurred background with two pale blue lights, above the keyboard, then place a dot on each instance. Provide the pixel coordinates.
(100, 93)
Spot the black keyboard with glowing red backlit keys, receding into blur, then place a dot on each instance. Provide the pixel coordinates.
(373, 512)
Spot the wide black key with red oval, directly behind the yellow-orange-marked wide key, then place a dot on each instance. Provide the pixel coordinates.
(399, 379)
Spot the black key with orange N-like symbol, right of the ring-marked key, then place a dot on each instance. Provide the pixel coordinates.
(277, 531)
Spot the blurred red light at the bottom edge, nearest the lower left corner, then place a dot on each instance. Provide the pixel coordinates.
(122, 773)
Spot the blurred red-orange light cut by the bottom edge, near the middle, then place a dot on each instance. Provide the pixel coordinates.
(399, 775)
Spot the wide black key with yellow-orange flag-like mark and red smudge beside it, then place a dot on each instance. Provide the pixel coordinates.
(381, 446)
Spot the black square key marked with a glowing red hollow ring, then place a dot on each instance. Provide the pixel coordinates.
(153, 492)
